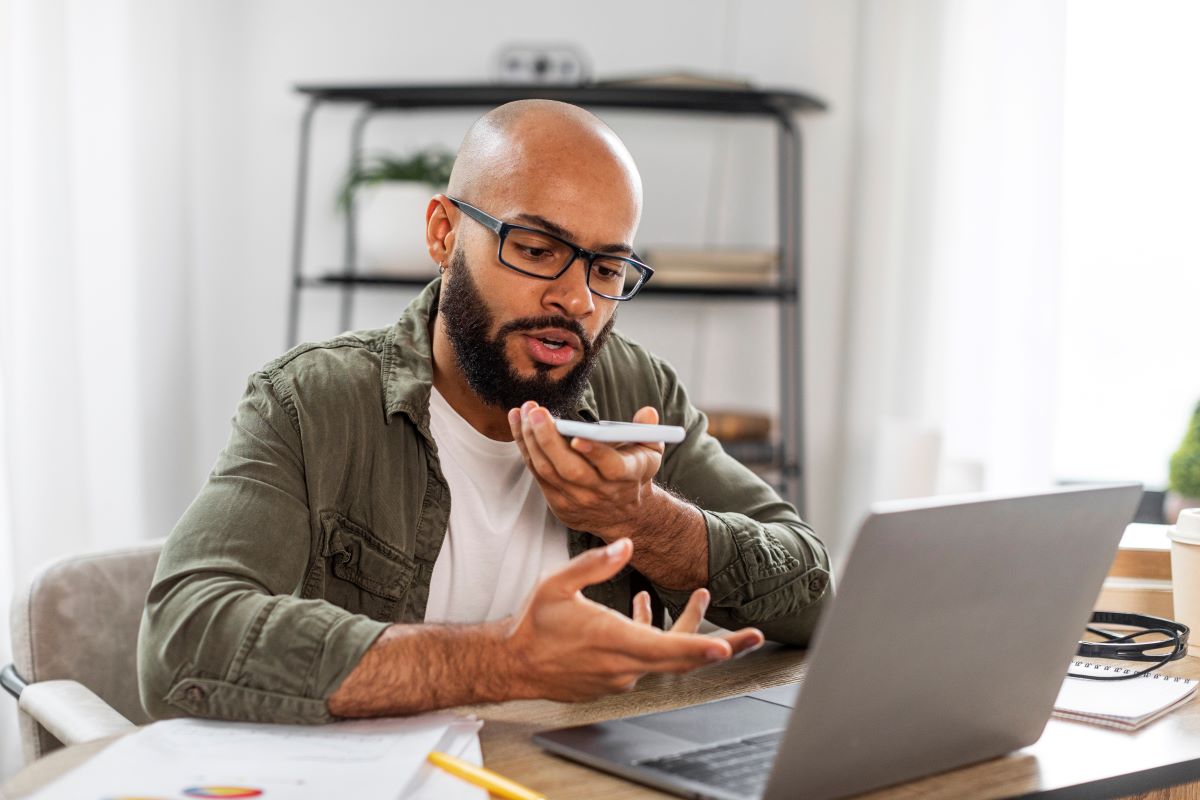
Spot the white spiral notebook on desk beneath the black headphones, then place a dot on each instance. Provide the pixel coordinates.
(1124, 705)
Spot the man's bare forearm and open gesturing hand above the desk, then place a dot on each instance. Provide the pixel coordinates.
(561, 647)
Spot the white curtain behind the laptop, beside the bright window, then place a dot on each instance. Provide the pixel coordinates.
(951, 300)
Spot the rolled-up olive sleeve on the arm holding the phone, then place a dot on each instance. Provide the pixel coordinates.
(766, 566)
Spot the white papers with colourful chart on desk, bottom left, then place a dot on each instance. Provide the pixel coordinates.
(182, 760)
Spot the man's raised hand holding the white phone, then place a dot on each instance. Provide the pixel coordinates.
(589, 485)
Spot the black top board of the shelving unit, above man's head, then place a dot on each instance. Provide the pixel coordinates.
(673, 99)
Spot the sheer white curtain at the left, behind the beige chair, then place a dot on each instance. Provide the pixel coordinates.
(94, 346)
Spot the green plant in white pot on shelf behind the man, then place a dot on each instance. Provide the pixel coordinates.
(391, 195)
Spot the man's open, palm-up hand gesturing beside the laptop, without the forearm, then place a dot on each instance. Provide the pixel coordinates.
(568, 648)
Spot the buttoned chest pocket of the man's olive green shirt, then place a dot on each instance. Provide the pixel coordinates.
(359, 572)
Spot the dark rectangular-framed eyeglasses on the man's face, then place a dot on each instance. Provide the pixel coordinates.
(545, 256)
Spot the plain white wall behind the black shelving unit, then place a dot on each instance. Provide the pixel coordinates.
(243, 117)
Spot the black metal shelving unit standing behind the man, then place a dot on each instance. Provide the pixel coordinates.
(782, 107)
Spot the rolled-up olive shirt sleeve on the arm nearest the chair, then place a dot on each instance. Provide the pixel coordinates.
(224, 634)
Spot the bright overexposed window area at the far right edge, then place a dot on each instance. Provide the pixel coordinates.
(1130, 332)
